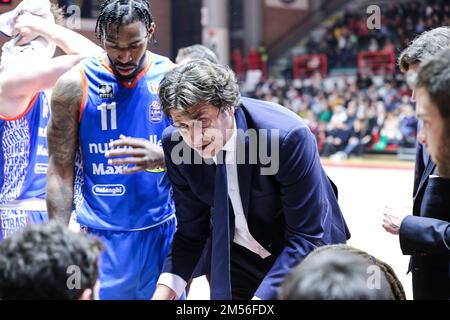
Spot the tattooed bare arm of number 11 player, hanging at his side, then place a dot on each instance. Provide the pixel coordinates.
(62, 135)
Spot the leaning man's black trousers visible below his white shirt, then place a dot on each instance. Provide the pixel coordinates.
(247, 271)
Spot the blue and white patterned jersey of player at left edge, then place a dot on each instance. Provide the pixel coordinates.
(24, 158)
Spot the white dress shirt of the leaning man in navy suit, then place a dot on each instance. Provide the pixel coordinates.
(242, 235)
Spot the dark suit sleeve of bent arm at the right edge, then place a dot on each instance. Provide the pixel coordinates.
(421, 235)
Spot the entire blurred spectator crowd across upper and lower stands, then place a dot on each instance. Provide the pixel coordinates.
(353, 115)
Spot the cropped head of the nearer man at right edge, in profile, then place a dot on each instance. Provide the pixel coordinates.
(433, 109)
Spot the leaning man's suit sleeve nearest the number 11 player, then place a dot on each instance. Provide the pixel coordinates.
(193, 223)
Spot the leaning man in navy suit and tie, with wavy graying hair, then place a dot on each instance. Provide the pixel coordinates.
(246, 172)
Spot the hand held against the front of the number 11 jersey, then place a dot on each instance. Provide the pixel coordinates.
(139, 152)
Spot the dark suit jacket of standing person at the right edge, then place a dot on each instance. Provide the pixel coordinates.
(425, 235)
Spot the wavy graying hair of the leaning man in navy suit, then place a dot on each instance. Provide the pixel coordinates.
(196, 83)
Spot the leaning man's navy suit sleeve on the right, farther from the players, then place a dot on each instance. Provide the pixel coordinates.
(305, 196)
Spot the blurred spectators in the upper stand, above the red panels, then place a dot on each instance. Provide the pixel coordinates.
(400, 23)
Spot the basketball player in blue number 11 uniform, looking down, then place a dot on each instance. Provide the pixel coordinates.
(109, 110)
